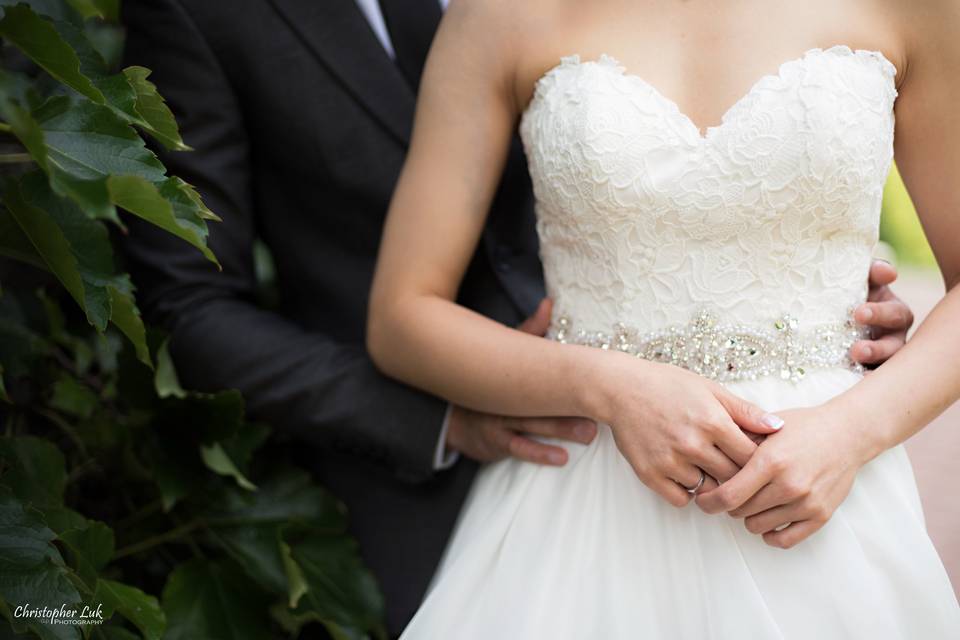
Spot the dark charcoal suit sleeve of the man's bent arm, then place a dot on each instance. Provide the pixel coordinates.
(303, 383)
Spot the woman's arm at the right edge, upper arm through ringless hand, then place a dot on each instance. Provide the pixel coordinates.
(806, 471)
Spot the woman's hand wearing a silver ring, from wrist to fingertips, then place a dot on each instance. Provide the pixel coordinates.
(667, 422)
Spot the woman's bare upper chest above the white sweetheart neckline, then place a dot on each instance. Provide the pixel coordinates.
(699, 56)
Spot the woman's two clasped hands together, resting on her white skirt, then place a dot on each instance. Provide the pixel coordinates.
(786, 484)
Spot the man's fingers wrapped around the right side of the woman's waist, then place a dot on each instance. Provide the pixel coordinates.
(888, 317)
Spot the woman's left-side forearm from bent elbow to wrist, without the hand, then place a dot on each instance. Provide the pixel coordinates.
(457, 354)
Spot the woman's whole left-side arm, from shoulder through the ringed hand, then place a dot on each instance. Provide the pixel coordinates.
(665, 420)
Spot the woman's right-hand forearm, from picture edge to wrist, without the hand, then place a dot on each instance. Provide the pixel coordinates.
(912, 388)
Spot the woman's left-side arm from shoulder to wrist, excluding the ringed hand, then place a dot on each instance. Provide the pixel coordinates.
(465, 119)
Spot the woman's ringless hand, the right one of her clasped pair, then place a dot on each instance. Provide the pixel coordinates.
(799, 476)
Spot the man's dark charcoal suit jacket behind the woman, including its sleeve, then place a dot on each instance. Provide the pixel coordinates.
(300, 122)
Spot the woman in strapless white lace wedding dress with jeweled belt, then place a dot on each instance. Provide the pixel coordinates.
(723, 245)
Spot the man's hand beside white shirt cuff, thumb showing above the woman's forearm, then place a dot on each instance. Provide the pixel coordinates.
(488, 438)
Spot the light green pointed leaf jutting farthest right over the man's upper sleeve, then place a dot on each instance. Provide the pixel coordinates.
(167, 206)
